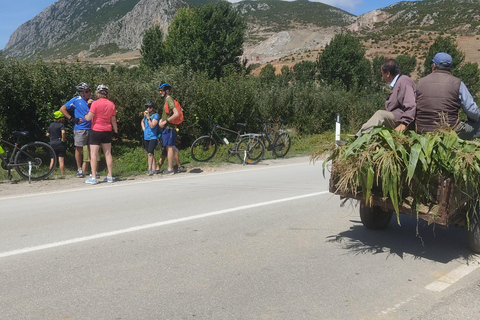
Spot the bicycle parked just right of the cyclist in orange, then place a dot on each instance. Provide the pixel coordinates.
(248, 147)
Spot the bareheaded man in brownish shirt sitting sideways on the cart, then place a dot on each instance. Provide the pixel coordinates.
(400, 106)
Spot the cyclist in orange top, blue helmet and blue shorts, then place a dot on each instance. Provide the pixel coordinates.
(169, 133)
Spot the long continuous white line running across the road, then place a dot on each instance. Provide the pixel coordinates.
(153, 225)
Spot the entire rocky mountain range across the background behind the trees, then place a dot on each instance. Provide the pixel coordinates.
(276, 29)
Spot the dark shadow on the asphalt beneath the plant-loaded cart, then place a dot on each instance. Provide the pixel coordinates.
(412, 237)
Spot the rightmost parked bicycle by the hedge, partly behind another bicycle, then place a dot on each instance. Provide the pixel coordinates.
(280, 143)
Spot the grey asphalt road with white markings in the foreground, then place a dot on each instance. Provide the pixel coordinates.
(257, 242)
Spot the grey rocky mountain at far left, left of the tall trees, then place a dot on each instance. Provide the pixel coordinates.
(70, 27)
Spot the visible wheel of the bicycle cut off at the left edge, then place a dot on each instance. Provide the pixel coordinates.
(33, 160)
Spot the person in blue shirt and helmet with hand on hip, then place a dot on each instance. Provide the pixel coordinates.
(81, 129)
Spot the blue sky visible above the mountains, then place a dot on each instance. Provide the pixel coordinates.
(14, 13)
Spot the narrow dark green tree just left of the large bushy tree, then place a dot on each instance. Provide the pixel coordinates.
(152, 49)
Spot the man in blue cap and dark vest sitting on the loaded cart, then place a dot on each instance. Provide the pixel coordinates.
(440, 96)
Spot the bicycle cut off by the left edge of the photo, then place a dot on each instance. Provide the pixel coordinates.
(31, 161)
